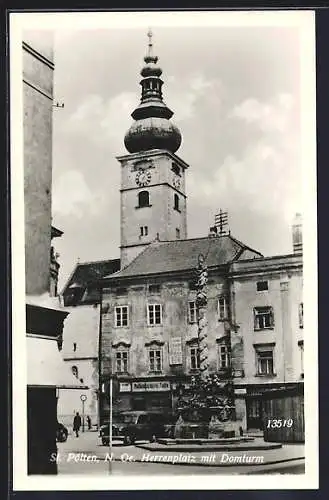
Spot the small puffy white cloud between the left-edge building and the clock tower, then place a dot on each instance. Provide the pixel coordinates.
(73, 197)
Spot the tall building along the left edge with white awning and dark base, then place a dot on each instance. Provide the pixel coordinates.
(46, 372)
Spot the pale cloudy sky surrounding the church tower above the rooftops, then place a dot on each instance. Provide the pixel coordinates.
(235, 94)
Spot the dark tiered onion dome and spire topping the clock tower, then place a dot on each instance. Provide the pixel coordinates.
(152, 128)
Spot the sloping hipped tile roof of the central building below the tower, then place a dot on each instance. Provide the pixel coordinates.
(182, 255)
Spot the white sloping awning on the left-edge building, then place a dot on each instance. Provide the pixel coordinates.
(45, 366)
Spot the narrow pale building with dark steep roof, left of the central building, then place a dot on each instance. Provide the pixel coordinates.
(81, 298)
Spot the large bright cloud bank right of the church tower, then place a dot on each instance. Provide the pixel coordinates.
(264, 176)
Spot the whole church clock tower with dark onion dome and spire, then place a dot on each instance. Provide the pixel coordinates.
(153, 199)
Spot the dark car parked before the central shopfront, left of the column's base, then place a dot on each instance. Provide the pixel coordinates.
(134, 425)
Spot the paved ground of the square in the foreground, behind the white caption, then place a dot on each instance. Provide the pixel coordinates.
(86, 454)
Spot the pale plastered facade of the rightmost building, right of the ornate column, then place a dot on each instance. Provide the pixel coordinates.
(267, 306)
